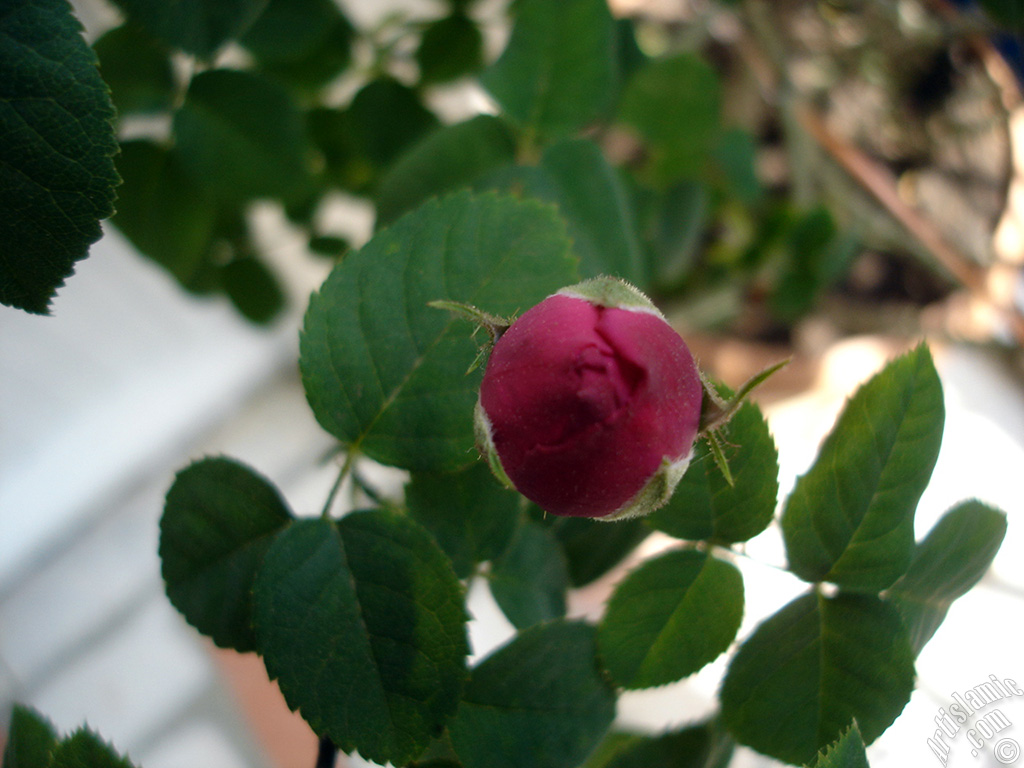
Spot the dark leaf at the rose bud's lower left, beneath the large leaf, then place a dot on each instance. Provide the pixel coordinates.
(470, 514)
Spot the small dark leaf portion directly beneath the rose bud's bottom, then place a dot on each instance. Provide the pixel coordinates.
(593, 548)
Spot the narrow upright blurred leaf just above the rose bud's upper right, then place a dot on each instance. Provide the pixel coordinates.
(675, 224)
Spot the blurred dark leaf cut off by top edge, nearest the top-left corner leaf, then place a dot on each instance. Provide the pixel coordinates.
(199, 27)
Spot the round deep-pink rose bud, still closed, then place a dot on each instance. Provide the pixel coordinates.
(590, 404)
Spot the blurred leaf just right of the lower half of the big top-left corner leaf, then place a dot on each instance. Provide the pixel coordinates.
(162, 211)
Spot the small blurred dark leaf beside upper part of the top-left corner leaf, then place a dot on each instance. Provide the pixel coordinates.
(138, 69)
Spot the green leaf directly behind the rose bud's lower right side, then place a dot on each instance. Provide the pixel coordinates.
(706, 507)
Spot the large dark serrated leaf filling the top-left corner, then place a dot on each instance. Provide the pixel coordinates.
(57, 148)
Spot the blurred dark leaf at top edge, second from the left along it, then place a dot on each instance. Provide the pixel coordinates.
(308, 42)
